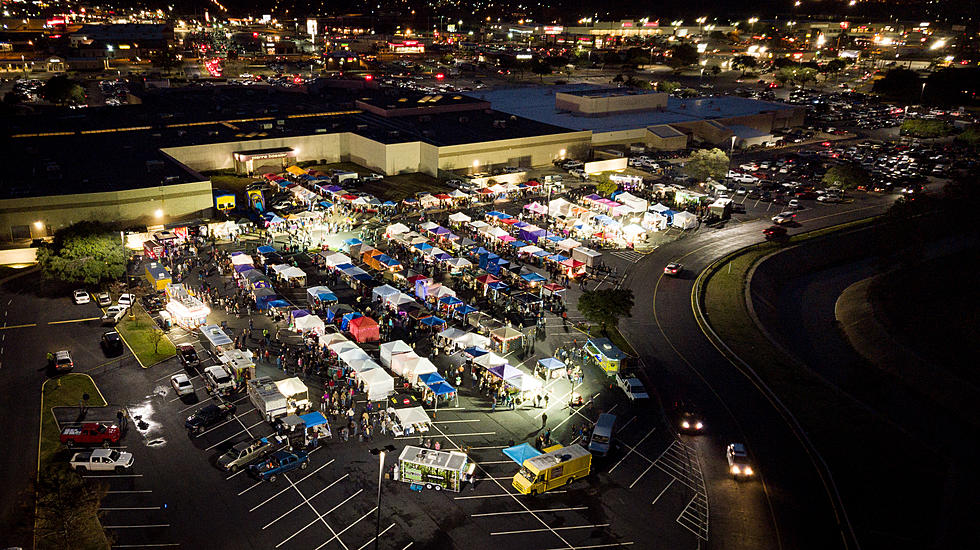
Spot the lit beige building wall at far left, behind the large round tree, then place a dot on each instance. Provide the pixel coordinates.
(57, 211)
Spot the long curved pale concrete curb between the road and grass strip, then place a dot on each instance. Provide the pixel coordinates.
(846, 530)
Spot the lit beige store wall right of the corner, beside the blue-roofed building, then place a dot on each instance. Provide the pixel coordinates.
(540, 151)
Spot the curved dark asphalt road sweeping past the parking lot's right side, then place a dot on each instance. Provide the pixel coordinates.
(682, 363)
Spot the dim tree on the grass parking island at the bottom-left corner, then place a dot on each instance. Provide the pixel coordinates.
(67, 509)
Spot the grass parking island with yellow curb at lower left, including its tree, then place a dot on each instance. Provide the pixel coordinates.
(59, 487)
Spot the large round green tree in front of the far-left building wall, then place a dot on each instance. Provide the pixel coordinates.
(86, 252)
